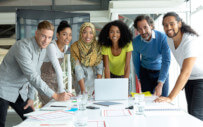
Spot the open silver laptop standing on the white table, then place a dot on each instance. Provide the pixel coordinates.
(111, 89)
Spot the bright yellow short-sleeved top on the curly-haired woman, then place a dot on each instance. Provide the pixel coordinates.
(117, 63)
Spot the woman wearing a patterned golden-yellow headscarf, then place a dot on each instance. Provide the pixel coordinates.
(86, 60)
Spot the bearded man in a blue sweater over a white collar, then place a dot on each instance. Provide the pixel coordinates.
(151, 57)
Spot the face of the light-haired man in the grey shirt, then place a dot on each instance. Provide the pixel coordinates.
(43, 37)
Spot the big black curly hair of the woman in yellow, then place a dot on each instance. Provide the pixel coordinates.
(125, 34)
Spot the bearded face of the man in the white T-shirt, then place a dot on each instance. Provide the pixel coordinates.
(171, 26)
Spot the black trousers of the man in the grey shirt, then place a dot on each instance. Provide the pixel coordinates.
(18, 106)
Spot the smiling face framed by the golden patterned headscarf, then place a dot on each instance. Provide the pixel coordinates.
(87, 35)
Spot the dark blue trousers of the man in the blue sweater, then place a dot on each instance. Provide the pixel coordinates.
(149, 80)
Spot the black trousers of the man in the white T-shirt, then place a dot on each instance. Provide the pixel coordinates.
(194, 97)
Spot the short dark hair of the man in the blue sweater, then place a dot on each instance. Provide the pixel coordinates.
(144, 17)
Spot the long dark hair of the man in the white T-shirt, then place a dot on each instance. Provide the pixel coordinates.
(185, 28)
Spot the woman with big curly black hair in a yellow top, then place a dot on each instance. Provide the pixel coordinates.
(116, 41)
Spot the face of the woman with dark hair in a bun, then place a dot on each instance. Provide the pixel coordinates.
(65, 36)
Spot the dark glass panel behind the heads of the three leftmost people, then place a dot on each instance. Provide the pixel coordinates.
(27, 21)
